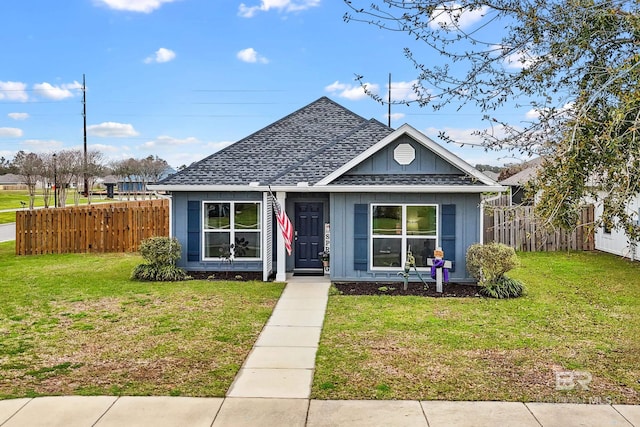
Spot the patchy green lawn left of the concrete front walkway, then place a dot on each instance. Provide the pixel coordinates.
(76, 324)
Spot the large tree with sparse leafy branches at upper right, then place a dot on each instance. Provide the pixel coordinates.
(575, 64)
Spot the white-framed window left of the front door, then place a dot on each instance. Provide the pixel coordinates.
(236, 223)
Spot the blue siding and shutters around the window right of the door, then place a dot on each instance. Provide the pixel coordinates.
(458, 228)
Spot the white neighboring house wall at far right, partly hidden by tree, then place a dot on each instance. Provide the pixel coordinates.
(613, 240)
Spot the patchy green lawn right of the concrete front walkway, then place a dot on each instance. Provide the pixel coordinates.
(581, 313)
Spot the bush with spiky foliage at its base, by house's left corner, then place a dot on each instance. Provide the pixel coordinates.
(161, 254)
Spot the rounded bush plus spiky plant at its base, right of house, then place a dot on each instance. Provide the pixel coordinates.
(489, 265)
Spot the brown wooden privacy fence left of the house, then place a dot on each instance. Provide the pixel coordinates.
(113, 227)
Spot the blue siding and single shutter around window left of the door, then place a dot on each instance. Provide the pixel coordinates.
(187, 219)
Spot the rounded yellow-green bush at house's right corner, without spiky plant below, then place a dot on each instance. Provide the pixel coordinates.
(488, 263)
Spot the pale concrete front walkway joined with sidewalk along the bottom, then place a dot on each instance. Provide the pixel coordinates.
(274, 385)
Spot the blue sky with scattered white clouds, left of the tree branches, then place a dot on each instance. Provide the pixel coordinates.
(181, 79)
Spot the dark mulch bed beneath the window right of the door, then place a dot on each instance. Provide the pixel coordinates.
(397, 288)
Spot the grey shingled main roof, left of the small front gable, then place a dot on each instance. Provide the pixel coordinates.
(305, 146)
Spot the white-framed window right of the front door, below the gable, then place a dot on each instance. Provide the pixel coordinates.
(398, 229)
